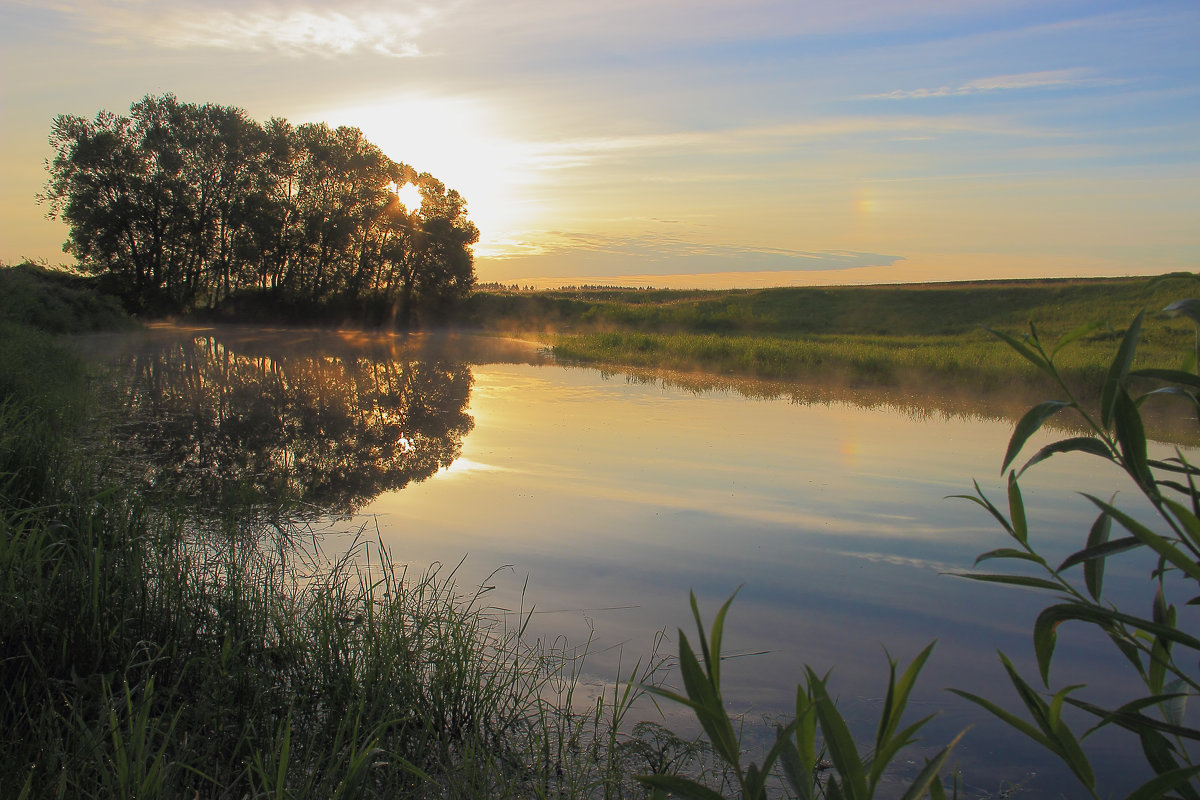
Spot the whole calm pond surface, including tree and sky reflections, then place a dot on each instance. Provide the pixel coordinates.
(599, 500)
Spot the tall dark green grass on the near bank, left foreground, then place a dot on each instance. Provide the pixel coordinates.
(146, 655)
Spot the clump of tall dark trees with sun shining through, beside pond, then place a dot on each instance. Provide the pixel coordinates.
(184, 207)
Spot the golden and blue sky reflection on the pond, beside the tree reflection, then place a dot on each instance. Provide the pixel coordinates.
(609, 500)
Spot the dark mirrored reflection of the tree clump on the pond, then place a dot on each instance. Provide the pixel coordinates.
(223, 423)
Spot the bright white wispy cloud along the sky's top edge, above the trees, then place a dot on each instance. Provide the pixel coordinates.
(295, 31)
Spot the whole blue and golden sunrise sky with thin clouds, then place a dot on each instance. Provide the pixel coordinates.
(686, 143)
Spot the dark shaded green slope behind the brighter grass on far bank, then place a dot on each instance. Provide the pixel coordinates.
(891, 311)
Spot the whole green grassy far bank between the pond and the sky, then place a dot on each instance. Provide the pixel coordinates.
(863, 334)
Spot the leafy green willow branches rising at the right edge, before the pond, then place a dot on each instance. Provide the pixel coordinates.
(1159, 647)
